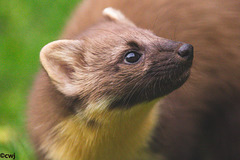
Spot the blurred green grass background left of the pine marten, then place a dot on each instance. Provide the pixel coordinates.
(25, 27)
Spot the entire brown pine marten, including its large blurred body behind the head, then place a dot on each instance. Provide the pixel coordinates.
(99, 92)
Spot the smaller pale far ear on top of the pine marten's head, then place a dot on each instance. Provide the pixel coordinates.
(115, 15)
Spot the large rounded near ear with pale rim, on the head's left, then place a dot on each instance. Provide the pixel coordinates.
(60, 60)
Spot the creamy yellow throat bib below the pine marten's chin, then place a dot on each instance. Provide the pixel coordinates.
(102, 134)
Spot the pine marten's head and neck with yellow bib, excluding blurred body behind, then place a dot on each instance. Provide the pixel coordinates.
(94, 98)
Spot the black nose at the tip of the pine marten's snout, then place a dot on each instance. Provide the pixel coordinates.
(186, 51)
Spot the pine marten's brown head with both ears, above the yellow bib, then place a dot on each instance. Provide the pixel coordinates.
(117, 60)
